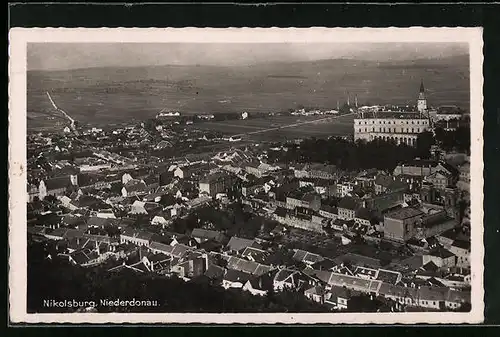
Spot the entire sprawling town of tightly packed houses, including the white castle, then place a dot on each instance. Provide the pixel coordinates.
(379, 218)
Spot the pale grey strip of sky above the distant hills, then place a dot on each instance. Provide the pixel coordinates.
(62, 56)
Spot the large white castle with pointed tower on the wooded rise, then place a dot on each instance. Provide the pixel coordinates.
(401, 127)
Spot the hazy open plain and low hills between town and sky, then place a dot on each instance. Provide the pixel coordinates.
(111, 94)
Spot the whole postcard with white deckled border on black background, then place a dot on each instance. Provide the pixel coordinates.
(246, 175)
